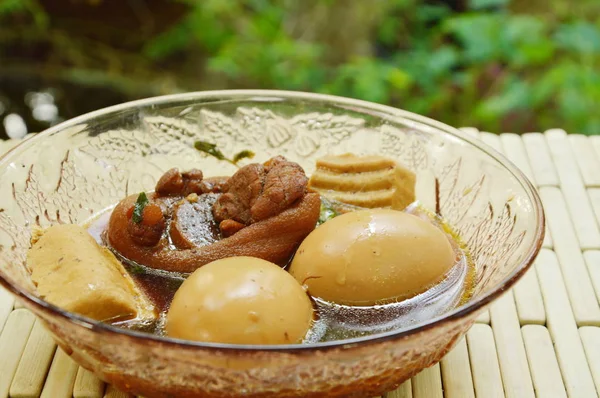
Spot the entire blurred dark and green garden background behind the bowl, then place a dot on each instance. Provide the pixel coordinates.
(498, 65)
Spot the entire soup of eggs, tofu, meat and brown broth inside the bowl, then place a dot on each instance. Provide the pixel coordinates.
(265, 256)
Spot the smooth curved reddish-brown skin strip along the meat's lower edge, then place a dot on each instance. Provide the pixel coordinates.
(274, 239)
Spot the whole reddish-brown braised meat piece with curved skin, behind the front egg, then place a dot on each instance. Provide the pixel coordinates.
(265, 211)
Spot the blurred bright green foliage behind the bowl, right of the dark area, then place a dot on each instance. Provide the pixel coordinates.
(493, 64)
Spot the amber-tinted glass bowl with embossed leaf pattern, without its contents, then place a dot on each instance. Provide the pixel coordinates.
(79, 168)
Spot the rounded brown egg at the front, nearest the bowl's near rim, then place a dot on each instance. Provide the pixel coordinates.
(240, 300)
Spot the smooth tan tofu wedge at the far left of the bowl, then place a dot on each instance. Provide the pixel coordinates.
(72, 271)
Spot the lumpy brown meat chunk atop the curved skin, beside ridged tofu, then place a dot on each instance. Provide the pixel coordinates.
(257, 192)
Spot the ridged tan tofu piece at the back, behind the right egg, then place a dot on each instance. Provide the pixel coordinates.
(365, 181)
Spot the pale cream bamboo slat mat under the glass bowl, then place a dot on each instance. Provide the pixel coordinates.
(542, 339)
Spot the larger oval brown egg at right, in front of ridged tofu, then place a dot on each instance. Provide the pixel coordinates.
(371, 257)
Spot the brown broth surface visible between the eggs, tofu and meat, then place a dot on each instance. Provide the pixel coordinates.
(335, 322)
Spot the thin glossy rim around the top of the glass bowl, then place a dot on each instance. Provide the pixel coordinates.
(281, 95)
